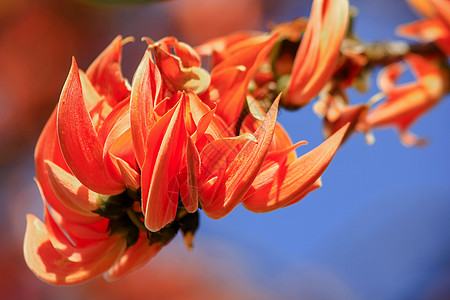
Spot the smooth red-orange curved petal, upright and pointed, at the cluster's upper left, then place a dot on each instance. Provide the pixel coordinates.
(79, 141)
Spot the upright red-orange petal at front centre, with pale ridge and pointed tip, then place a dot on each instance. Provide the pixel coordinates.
(166, 146)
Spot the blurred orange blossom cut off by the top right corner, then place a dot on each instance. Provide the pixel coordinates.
(436, 27)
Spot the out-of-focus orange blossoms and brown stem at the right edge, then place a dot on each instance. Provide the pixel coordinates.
(403, 103)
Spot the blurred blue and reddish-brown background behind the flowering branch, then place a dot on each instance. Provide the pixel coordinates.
(379, 228)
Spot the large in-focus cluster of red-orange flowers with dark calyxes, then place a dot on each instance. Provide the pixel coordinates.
(123, 168)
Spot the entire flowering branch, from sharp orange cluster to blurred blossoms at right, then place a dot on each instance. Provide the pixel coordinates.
(122, 168)
